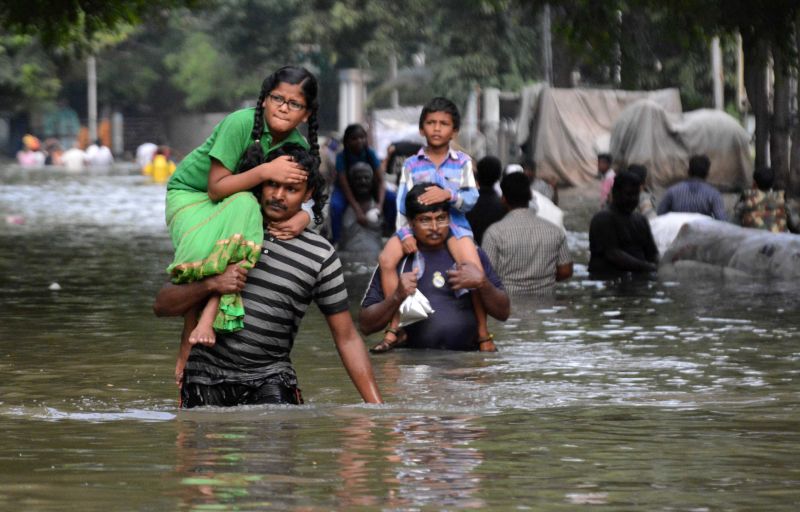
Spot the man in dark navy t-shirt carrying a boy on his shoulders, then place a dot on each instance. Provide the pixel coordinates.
(434, 272)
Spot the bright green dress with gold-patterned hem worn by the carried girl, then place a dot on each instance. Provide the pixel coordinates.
(209, 235)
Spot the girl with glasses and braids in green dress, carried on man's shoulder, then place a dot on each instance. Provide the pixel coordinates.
(213, 218)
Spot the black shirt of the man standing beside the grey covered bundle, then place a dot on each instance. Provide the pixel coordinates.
(611, 230)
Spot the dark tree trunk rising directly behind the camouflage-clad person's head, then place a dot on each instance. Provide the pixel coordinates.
(755, 83)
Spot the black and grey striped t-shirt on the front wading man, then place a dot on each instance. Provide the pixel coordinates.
(288, 276)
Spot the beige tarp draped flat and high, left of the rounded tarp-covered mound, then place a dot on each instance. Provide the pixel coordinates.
(560, 126)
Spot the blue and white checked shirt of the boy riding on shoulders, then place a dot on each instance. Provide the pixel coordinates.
(454, 175)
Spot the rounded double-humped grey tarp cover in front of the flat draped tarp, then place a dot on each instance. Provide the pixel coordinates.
(663, 141)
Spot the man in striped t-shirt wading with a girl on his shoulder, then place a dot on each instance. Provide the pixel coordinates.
(253, 365)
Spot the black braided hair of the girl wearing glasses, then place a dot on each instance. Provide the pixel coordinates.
(293, 75)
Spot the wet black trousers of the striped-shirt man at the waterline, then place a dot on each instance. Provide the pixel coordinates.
(232, 394)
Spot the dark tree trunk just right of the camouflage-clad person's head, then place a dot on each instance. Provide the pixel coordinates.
(779, 133)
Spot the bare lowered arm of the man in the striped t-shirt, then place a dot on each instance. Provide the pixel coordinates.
(354, 356)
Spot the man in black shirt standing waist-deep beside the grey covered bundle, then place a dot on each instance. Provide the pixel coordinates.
(620, 239)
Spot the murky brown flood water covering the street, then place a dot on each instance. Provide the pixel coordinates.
(668, 396)
